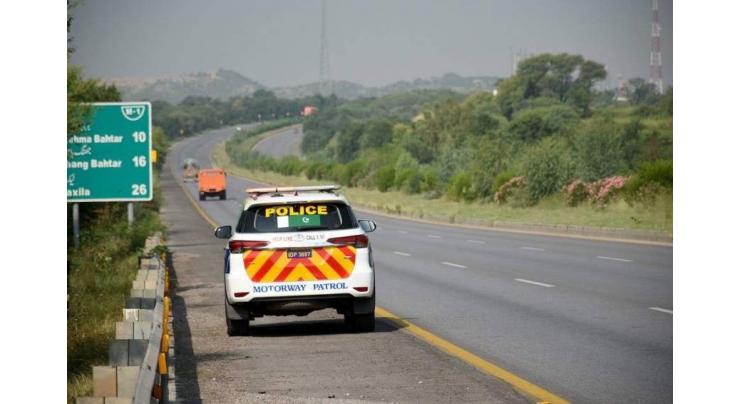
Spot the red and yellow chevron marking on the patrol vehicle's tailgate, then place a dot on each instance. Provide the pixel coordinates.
(326, 263)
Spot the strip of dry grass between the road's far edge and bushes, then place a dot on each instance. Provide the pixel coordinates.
(550, 211)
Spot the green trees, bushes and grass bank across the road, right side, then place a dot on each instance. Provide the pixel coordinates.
(546, 148)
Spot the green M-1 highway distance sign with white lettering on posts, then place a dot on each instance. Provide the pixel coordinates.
(110, 160)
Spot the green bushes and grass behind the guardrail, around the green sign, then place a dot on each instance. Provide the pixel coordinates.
(100, 272)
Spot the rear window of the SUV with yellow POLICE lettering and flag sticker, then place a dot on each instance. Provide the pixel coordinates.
(296, 217)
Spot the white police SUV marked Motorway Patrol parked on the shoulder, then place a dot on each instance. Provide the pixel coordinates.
(296, 250)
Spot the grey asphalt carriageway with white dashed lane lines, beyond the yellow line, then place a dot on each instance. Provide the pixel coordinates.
(590, 321)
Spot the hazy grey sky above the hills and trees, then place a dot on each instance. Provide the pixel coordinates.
(370, 42)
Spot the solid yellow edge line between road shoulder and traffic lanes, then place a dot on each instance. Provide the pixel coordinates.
(479, 363)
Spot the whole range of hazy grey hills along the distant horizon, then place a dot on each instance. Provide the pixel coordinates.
(225, 84)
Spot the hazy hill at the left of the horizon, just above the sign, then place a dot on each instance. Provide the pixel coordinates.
(221, 84)
